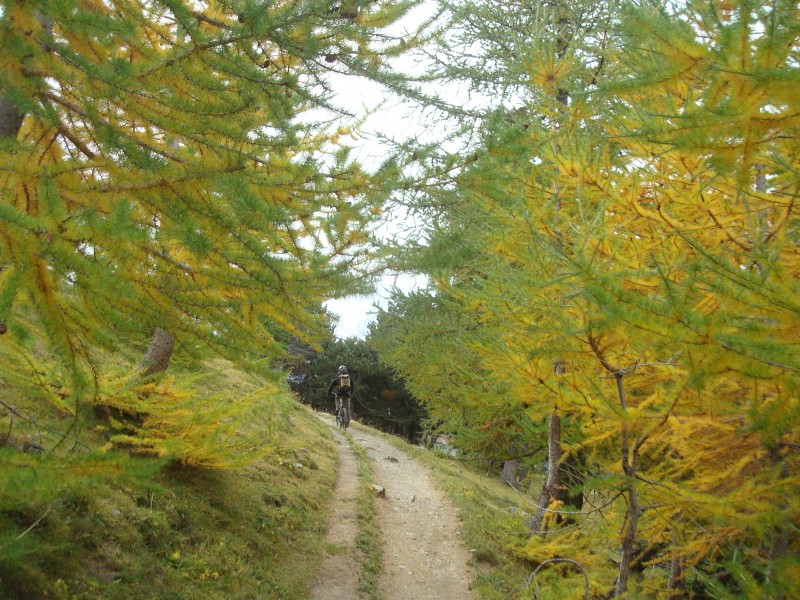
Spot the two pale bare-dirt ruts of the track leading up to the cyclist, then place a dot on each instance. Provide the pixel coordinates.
(423, 555)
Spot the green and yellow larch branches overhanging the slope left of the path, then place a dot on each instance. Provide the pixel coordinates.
(162, 172)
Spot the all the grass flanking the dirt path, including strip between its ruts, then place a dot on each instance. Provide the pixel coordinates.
(253, 532)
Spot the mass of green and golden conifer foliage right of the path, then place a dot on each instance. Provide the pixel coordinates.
(622, 252)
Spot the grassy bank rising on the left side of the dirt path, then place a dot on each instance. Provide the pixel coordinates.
(253, 532)
